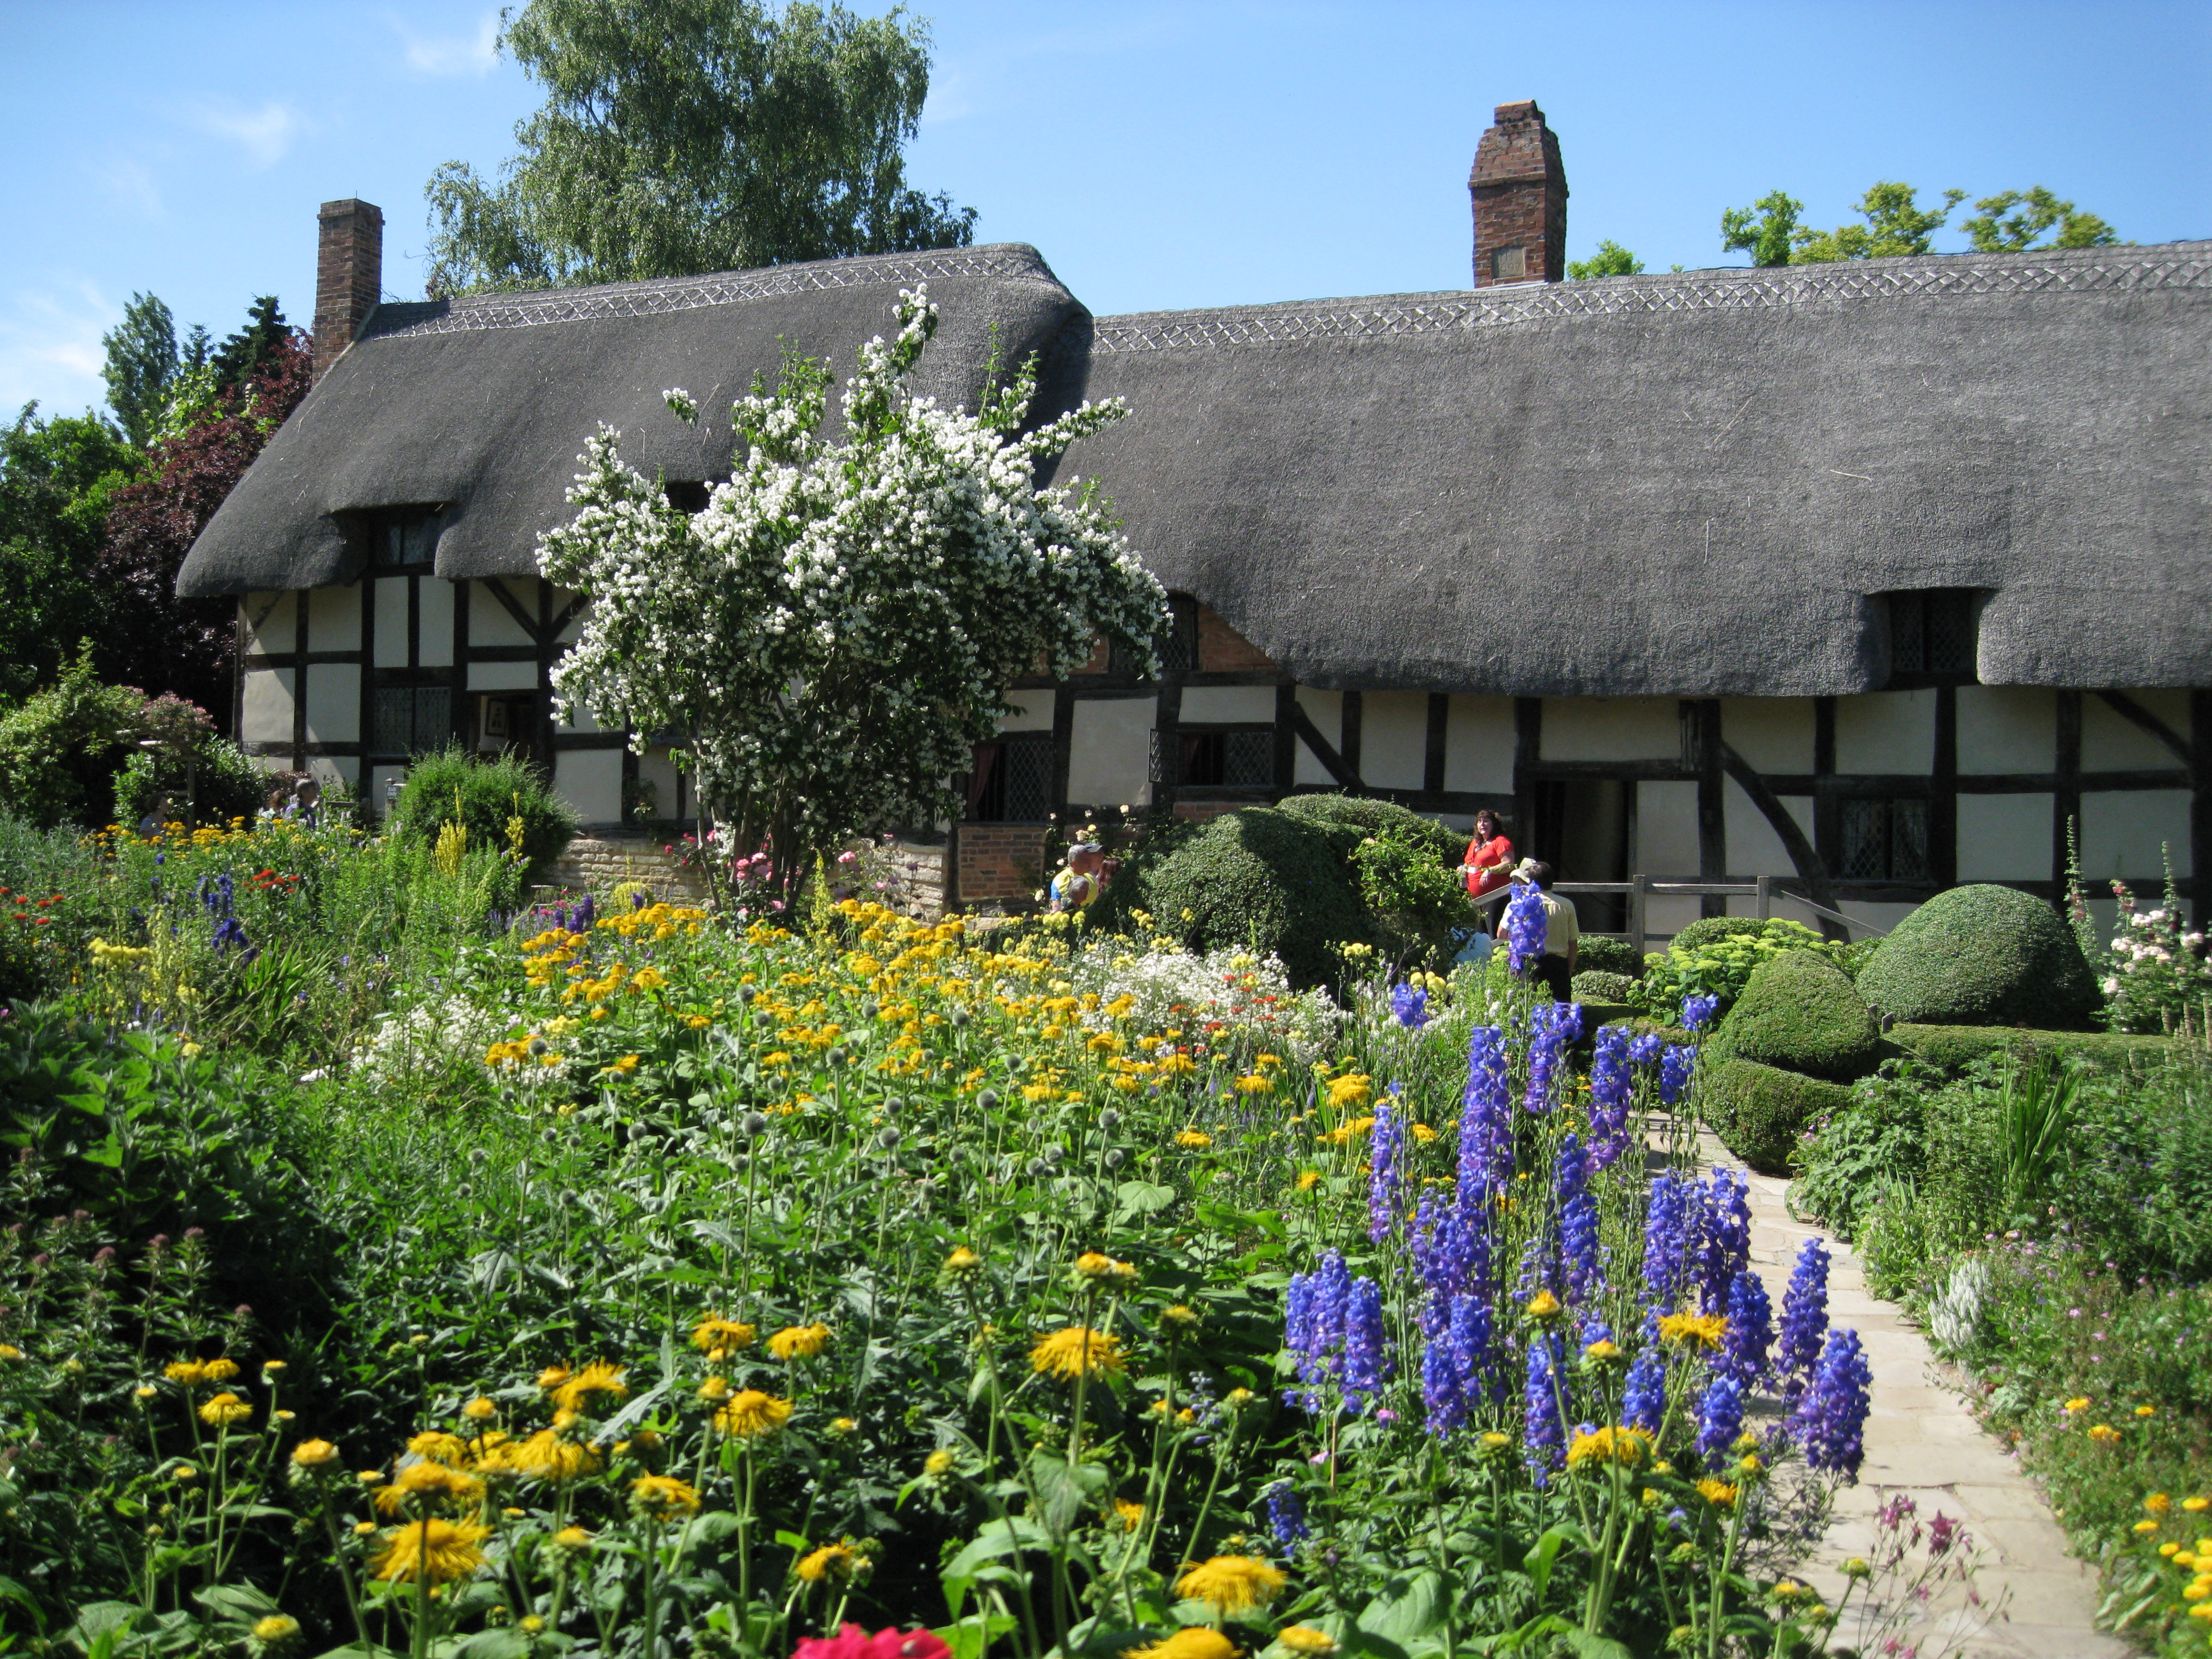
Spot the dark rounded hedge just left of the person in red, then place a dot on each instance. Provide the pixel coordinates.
(1258, 879)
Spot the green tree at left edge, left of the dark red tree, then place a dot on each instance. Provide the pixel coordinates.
(56, 483)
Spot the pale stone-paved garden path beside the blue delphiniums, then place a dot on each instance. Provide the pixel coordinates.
(1923, 1443)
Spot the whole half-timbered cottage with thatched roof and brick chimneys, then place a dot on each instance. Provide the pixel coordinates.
(1866, 576)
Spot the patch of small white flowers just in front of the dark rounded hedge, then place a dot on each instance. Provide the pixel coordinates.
(1231, 1001)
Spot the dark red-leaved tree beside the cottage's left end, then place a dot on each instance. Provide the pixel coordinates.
(156, 638)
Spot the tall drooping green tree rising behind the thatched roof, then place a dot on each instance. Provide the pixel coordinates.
(691, 136)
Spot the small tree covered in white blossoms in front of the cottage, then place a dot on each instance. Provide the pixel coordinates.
(839, 625)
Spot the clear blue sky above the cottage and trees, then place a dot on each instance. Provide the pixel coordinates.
(1160, 156)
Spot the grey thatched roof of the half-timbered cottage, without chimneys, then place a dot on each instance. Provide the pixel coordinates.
(1653, 486)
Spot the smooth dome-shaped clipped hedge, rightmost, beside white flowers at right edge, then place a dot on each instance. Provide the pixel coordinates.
(1983, 957)
